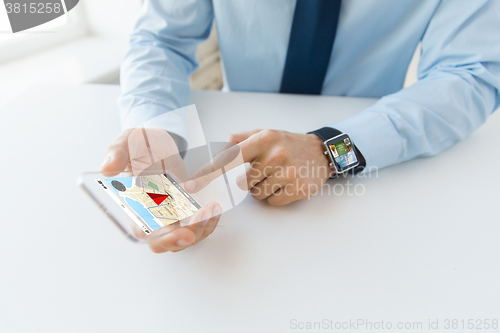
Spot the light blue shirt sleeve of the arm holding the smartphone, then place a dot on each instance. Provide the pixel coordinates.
(161, 56)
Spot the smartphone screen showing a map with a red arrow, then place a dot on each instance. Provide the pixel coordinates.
(158, 200)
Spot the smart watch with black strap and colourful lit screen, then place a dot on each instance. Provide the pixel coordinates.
(342, 154)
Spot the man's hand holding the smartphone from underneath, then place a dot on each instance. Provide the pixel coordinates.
(146, 150)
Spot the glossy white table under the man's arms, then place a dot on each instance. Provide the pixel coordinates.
(421, 243)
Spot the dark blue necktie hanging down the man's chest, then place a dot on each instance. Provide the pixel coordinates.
(311, 40)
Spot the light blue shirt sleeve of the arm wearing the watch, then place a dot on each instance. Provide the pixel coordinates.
(458, 88)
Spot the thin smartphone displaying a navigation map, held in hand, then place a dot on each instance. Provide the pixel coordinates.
(144, 207)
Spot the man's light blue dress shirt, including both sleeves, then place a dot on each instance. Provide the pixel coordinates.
(459, 70)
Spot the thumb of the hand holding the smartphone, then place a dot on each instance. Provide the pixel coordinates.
(116, 155)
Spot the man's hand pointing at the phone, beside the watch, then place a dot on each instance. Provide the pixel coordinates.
(285, 166)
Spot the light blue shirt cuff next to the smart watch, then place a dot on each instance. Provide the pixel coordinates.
(375, 136)
